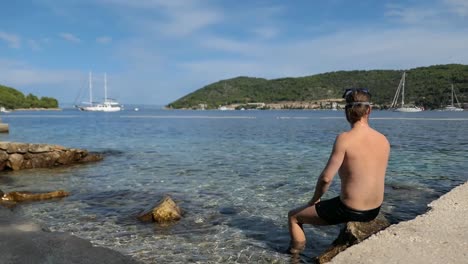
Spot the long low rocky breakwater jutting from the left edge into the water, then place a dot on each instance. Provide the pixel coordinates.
(18, 156)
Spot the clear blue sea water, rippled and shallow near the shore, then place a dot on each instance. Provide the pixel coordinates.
(234, 173)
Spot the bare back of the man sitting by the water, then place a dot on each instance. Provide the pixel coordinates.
(362, 172)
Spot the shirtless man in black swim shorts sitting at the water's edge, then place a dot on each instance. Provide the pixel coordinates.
(360, 156)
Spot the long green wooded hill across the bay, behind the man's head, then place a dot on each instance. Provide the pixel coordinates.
(425, 86)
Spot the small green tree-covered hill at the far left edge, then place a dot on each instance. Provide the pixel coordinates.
(11, 98)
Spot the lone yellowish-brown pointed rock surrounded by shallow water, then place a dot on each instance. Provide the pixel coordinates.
(165, 212)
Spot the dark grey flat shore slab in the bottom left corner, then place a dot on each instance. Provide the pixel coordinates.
(23, 241)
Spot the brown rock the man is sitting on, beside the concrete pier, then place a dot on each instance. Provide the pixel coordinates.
(353, 233)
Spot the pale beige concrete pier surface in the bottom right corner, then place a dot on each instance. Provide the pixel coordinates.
(438, 236)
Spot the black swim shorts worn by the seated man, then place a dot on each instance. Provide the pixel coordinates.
(334, 212)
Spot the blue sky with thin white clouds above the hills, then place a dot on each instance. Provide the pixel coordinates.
(156, 51)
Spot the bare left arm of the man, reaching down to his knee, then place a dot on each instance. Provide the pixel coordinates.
(333, 164)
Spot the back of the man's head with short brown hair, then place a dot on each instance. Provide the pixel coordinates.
(357, 104)
